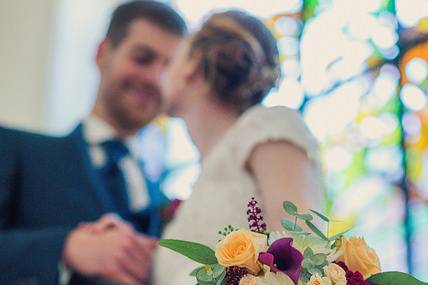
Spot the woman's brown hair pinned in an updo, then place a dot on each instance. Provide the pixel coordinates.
(238, 58)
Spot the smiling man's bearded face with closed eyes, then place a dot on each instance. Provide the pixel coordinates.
(130, 74)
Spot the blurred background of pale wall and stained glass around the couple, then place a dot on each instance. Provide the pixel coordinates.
(357, 70)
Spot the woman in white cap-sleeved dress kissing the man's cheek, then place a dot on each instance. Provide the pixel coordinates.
(216, 82)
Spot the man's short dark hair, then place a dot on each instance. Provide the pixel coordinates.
(155, 12)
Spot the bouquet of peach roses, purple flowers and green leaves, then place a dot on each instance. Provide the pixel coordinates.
(256, 256)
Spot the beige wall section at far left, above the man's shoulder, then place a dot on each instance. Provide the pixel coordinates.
(25, 33)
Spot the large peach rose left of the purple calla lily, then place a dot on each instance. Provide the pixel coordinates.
(241, 248)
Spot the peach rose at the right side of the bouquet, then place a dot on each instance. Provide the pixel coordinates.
(359, 257)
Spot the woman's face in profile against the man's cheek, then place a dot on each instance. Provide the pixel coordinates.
(174, 81)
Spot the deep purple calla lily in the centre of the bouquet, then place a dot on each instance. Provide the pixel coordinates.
(282, 256)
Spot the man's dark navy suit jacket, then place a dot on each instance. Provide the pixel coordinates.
(47, 186)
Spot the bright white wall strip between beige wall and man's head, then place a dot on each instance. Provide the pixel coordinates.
(79, 27)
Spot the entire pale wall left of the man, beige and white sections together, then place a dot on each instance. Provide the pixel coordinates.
(48, 77)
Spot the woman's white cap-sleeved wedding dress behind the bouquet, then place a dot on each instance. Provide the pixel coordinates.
(224, 187)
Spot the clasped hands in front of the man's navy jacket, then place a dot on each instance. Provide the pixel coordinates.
(116, 253)
